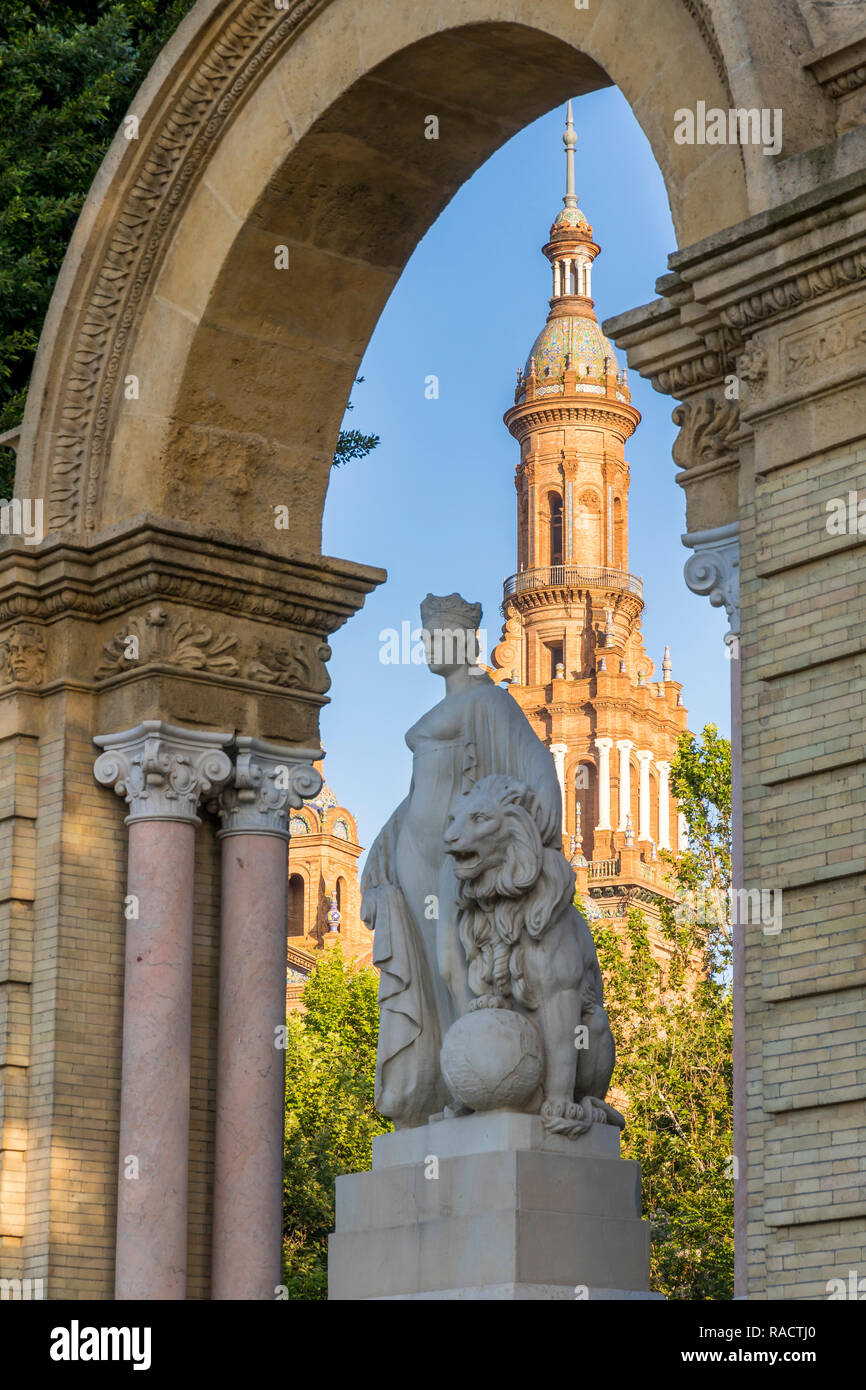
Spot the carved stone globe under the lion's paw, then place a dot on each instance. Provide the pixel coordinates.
(493, 1060)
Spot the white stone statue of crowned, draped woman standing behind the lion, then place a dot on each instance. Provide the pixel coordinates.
(409, 886)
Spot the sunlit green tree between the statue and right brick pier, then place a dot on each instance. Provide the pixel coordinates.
(675, 1035)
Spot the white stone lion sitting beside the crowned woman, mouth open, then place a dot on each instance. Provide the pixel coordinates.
(519, 943)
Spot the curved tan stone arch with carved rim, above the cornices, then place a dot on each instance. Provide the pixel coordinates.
(304, 129)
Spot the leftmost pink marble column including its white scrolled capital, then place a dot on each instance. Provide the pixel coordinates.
(162, 772)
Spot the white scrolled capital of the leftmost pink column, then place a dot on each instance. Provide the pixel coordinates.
(163, 772)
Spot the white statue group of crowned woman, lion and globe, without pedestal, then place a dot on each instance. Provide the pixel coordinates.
(472, 903)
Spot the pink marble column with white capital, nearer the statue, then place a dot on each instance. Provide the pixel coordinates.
(251, 1060)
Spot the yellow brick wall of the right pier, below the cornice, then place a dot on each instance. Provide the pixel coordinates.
(804, 747)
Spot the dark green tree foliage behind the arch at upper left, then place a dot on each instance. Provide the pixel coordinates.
(69, 73)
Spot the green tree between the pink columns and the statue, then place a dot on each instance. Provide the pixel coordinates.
(332, 1120)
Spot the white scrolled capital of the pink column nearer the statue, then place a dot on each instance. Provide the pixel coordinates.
(268, 782)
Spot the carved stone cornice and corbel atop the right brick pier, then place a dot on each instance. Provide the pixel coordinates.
(751, 323)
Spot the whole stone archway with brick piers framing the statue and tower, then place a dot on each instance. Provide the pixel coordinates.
(188, 391)
